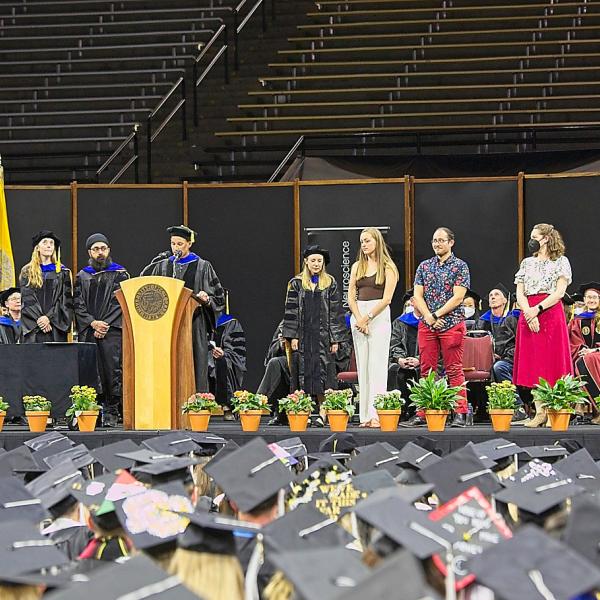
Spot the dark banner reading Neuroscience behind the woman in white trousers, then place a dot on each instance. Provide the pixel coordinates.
(343, 244)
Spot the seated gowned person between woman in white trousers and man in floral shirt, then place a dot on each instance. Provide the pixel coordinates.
(403, 360)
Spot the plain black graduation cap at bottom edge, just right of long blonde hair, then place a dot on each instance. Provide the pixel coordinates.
(321, 573)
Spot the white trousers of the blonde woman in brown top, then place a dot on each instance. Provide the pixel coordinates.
(372, 352)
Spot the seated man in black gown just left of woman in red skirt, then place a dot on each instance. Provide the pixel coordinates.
(501, 322)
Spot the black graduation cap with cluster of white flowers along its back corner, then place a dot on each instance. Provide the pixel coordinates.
(537, 487)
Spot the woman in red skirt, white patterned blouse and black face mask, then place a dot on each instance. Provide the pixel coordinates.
(542, 344)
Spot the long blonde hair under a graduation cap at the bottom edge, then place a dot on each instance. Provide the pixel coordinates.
(212, 576)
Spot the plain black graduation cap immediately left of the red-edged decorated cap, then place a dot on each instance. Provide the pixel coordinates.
(404, 524)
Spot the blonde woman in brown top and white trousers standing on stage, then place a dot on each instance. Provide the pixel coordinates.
(373, 279)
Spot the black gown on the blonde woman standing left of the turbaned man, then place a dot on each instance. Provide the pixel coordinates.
(54, 299)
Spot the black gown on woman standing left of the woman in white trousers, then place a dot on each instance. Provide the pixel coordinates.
(316, 319)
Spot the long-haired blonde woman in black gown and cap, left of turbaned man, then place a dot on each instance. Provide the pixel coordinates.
(46, 293)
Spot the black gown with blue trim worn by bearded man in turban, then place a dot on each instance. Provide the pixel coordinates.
(95, 300)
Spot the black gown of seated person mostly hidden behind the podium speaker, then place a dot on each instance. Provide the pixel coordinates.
(227, 372)
